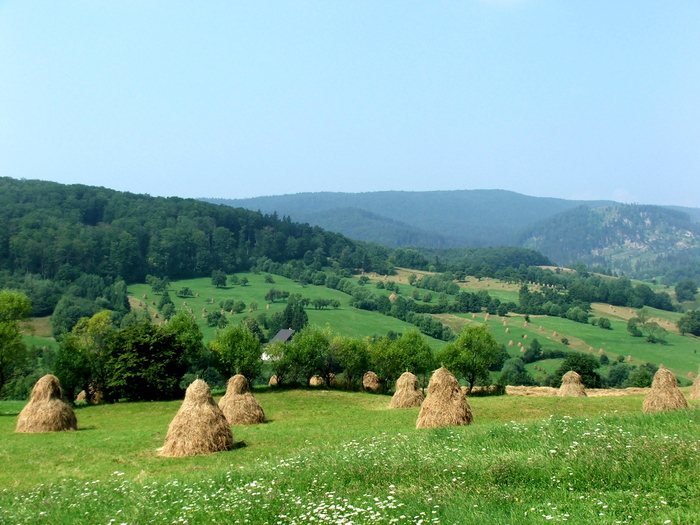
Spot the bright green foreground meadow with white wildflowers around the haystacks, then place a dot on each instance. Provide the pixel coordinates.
(335, 457)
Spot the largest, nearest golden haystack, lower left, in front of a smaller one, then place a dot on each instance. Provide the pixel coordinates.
(199, 427)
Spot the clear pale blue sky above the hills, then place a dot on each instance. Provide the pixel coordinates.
(235, 99)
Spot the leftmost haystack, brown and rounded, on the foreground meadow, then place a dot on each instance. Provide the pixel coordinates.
(47, 410)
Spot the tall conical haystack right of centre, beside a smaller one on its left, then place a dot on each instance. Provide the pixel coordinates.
(445, 404)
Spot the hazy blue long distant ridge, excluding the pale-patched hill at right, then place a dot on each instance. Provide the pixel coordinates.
(438, 218)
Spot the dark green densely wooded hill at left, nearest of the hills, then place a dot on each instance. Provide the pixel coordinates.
(60, 231)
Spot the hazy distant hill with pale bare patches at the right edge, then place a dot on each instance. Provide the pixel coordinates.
(638, 240)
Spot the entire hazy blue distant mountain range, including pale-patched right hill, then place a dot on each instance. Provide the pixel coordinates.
(632, 238)
